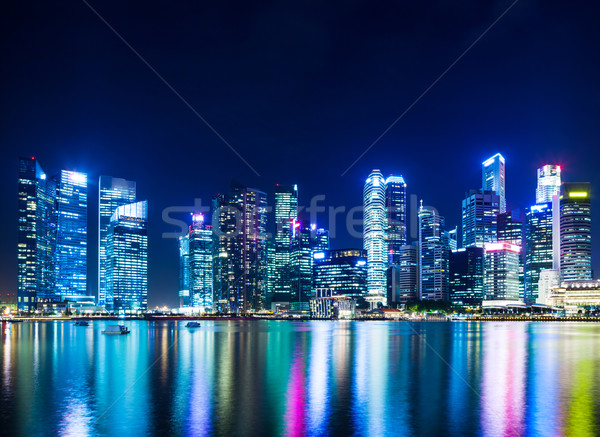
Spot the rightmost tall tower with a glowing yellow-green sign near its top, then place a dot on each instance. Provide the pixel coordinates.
(575, 232)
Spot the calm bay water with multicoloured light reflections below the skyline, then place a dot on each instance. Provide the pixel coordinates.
(298, 378)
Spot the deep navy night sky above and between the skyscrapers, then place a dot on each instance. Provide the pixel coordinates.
(299, 89)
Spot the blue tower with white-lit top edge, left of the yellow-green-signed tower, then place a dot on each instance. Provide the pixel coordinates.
(538, 247)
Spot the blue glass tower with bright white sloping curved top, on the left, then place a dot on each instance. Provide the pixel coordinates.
(127, 259)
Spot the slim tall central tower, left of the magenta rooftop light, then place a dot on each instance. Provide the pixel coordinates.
(286, 211)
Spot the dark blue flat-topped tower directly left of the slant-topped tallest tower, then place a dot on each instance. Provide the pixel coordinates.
(479, 218)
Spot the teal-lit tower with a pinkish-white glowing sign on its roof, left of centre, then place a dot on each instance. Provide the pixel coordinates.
(200, 264)
